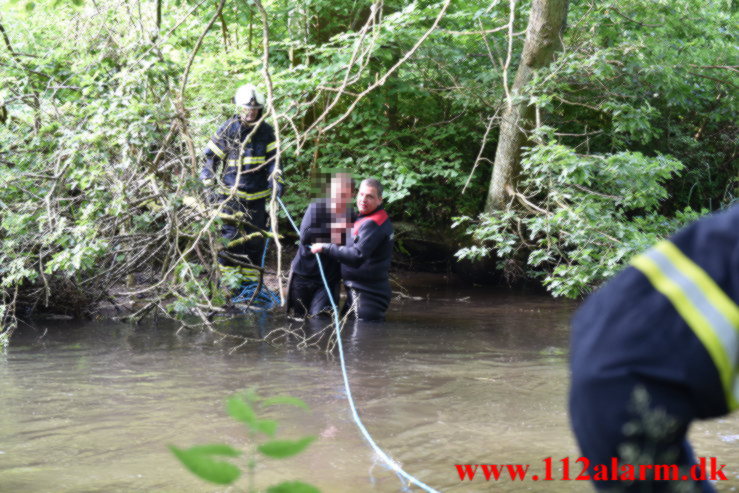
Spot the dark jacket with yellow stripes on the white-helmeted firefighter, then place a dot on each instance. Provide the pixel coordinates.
(236, 145)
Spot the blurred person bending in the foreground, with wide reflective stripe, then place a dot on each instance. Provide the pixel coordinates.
(655, 349)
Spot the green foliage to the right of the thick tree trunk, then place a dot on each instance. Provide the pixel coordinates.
(636, 137)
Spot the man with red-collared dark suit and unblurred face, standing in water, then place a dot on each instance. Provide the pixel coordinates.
(365, 258)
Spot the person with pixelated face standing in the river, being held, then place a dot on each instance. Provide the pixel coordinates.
(325, 220)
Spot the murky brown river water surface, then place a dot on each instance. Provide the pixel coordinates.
(459, 376)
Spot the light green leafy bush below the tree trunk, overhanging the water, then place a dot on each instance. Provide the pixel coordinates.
(582, 219)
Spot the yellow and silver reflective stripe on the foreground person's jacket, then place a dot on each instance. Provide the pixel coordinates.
(708, 311)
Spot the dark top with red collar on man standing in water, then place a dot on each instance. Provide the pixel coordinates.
(365, 259)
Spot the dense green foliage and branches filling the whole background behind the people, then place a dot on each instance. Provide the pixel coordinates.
(104, 107)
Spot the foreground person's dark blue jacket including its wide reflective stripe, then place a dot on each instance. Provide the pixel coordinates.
(677, 300)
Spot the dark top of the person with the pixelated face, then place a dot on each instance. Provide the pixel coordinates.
(316, 228)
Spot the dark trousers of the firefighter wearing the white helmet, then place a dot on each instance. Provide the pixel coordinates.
(252, 250)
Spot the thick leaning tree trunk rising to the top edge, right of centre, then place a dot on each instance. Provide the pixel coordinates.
(546, 23)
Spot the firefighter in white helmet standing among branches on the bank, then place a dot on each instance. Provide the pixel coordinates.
(239, 165)
